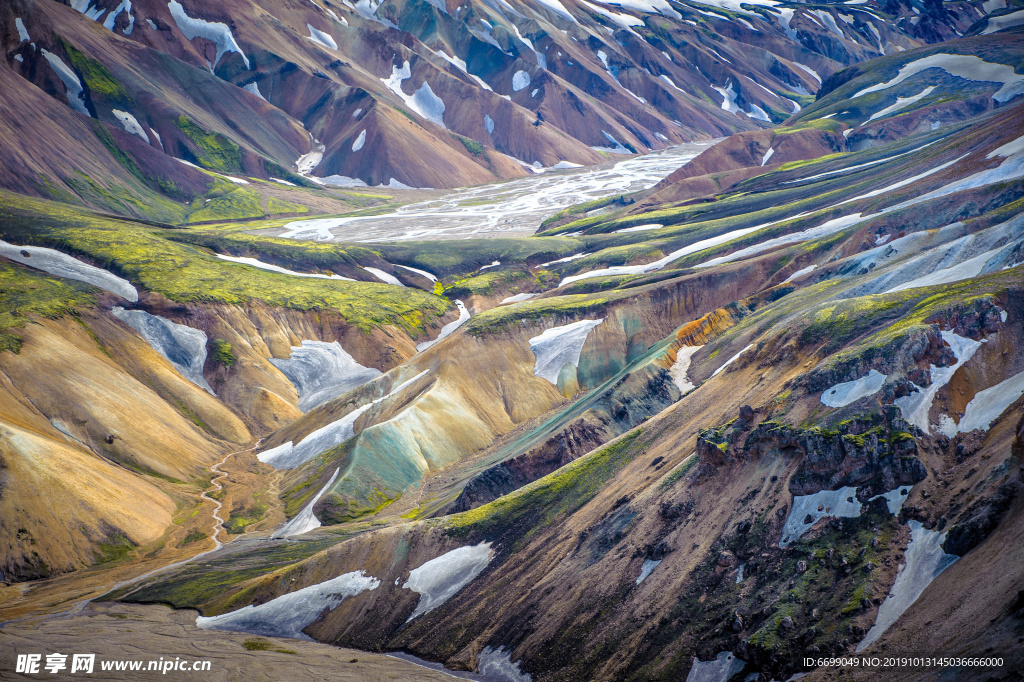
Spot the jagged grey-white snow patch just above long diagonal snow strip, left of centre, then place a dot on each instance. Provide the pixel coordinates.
(322, 372)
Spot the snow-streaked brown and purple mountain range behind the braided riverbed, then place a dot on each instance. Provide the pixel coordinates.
(417, 94)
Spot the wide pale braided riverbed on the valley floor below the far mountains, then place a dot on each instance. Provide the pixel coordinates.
(503, 209)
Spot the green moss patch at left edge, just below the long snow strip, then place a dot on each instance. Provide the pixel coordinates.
(25, 293)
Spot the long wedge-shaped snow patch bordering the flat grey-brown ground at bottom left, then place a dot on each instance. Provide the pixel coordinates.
(290, 614)
